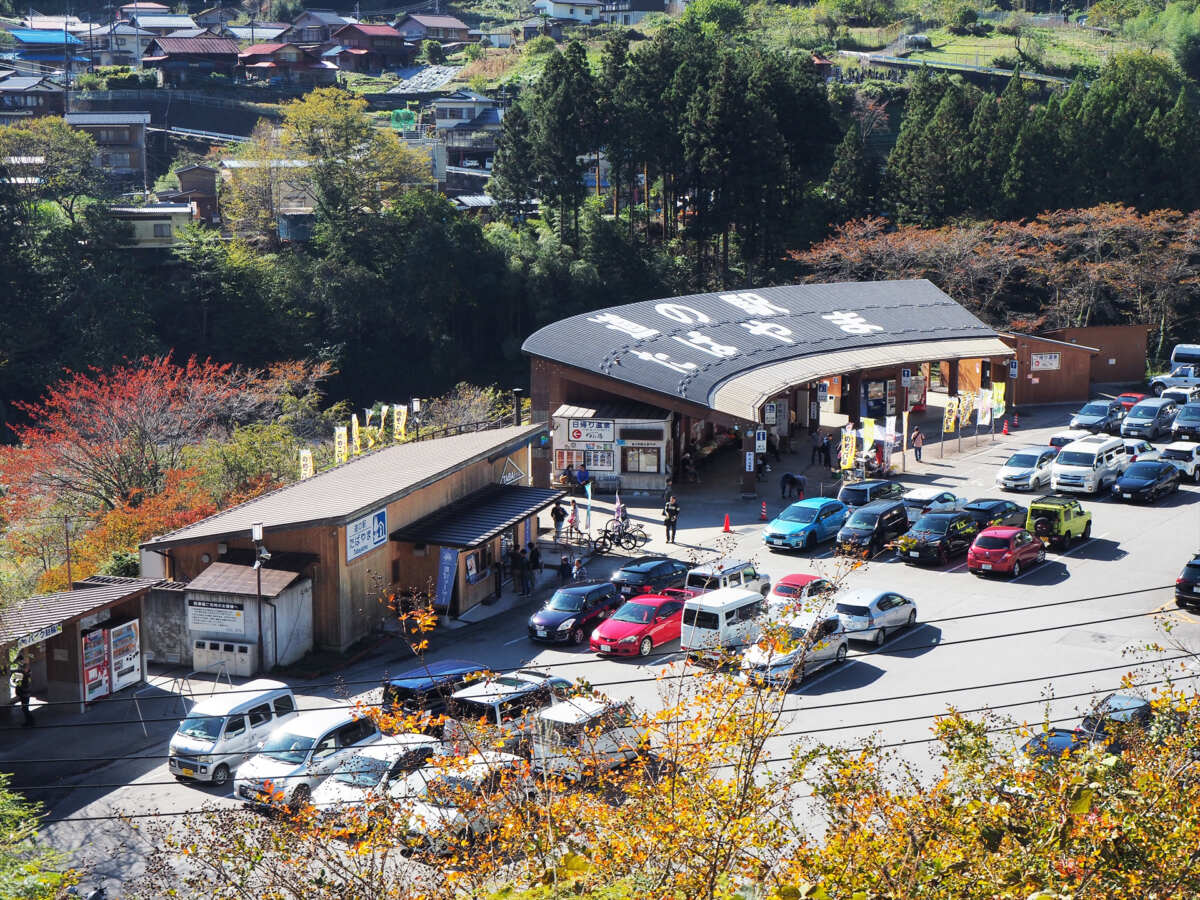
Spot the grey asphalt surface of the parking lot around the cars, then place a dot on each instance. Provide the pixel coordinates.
(1042, 645)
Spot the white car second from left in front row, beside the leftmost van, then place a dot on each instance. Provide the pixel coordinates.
(301, 754)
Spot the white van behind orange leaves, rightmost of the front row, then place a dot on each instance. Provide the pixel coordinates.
(585, 736)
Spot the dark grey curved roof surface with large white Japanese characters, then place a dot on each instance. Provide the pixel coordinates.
(687, 347)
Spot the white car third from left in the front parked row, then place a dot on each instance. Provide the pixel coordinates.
(367, 776)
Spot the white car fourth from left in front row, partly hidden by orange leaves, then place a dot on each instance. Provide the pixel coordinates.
(454, 801)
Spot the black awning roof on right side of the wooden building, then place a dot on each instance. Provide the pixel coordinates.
(479, 518)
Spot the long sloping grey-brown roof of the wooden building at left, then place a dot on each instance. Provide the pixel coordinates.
(355, 488)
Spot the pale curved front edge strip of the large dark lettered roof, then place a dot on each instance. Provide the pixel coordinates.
(745, 394)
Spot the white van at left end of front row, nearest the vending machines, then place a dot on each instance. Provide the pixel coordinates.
(220, 731)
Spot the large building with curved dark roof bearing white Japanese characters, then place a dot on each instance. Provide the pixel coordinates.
(724, 365)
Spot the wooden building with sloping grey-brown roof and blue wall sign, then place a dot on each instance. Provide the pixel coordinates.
(433, 517)
